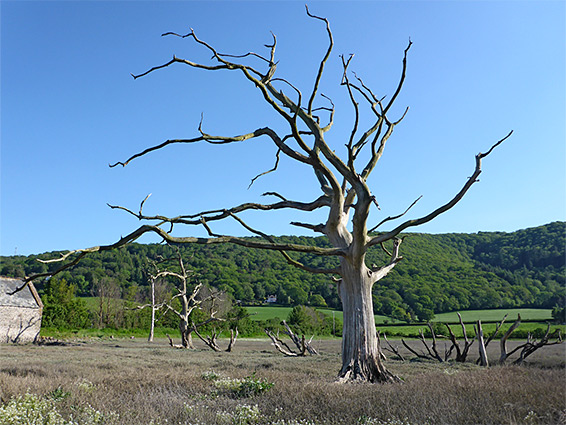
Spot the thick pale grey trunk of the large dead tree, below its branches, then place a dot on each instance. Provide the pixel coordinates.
(360, 350)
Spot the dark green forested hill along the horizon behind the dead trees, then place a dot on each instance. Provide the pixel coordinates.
(439, 273)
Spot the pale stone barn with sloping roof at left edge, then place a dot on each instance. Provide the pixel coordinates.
(20, 314)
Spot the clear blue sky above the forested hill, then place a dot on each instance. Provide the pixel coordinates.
(69, 107)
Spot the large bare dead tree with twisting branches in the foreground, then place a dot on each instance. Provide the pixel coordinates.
(343, 181)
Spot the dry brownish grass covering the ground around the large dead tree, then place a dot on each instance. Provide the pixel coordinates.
(144, 382)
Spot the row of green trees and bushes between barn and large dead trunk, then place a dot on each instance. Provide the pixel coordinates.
(63, 310)
